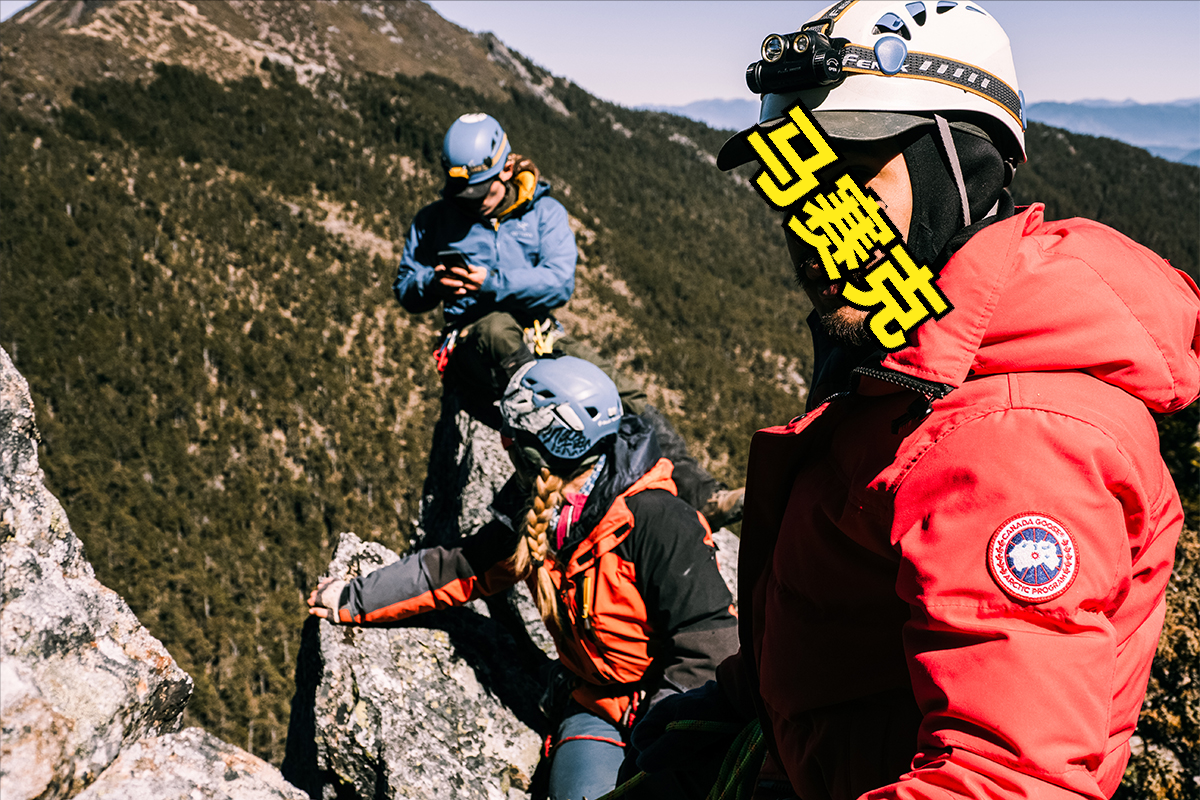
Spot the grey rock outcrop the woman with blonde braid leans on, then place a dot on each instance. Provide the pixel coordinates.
(447, 705)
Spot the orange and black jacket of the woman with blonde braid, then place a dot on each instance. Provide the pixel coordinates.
(645, 610)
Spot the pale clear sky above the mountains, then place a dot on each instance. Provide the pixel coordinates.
(675, 52)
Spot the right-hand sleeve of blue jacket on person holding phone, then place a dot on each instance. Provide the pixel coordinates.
(547, 280)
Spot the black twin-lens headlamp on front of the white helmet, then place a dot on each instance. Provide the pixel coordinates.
(807, 59)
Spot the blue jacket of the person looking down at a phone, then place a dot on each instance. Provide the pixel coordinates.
(530, 256)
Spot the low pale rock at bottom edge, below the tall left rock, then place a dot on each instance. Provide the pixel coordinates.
(193, 763)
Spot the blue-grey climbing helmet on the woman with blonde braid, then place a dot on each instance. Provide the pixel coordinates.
(561, 408)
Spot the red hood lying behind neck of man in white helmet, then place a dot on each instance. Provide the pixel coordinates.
(1033, 296)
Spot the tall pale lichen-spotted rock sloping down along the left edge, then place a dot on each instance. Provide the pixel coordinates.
(81, 677)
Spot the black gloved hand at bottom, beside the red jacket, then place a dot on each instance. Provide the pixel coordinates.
(711, 726)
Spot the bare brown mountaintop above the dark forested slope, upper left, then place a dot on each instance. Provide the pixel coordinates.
(229, 40)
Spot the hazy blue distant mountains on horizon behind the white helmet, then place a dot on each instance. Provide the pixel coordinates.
(1169, 131)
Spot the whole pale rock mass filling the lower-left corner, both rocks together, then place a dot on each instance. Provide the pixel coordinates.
(89, 700)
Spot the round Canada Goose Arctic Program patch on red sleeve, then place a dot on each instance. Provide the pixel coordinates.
(1033, 558)
